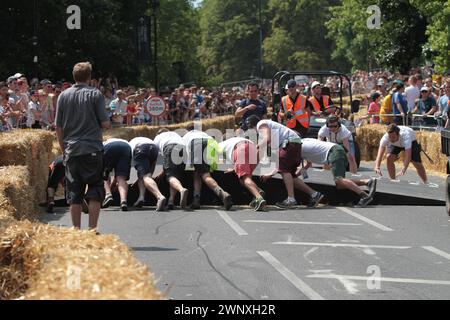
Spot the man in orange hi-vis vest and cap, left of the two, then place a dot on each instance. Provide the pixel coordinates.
(295, 106)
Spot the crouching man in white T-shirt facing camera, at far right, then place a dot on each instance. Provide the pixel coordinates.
(397, 139)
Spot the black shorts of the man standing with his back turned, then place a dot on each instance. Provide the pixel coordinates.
(82, 171)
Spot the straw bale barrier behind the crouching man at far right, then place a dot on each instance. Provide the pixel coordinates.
(369, 137)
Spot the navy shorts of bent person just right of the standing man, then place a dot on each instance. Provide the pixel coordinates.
(117, 157)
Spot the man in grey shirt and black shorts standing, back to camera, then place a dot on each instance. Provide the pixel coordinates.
(80, 118)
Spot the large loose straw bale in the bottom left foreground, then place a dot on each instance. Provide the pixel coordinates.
(46, 263)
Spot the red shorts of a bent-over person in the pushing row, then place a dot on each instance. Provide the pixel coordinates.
(245, 159)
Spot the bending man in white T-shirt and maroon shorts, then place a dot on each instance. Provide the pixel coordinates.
(289, 146)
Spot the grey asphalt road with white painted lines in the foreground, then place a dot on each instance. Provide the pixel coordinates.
(384, 252)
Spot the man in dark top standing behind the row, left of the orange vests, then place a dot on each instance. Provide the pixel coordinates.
(251, 106)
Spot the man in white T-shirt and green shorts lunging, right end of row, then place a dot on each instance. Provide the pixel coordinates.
(327, 153)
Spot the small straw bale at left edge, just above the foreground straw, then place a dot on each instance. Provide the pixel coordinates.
(16, 194)
